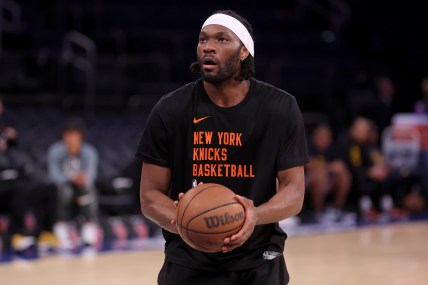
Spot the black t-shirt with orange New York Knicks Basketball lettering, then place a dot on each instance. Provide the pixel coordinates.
(241, 147)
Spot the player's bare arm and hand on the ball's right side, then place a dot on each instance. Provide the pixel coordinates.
(287, 202)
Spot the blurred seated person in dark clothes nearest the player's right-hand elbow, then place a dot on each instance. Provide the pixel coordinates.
(326, 174)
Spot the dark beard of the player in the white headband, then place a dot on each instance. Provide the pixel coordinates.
(226, 70)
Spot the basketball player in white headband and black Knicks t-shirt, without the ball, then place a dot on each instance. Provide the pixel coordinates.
(230, 129)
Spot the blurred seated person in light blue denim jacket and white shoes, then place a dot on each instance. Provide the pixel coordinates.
(72, 166)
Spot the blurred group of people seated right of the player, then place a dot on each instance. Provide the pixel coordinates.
(371, 168)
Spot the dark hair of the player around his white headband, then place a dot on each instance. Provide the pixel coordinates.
(247, 65)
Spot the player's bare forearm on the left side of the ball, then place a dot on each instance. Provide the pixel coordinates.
(159, 208)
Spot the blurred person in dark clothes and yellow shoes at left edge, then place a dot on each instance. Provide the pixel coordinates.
(24, 198)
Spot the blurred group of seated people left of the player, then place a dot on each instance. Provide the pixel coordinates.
(59, 212)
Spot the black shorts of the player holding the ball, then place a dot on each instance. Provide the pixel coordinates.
(273, 272)
